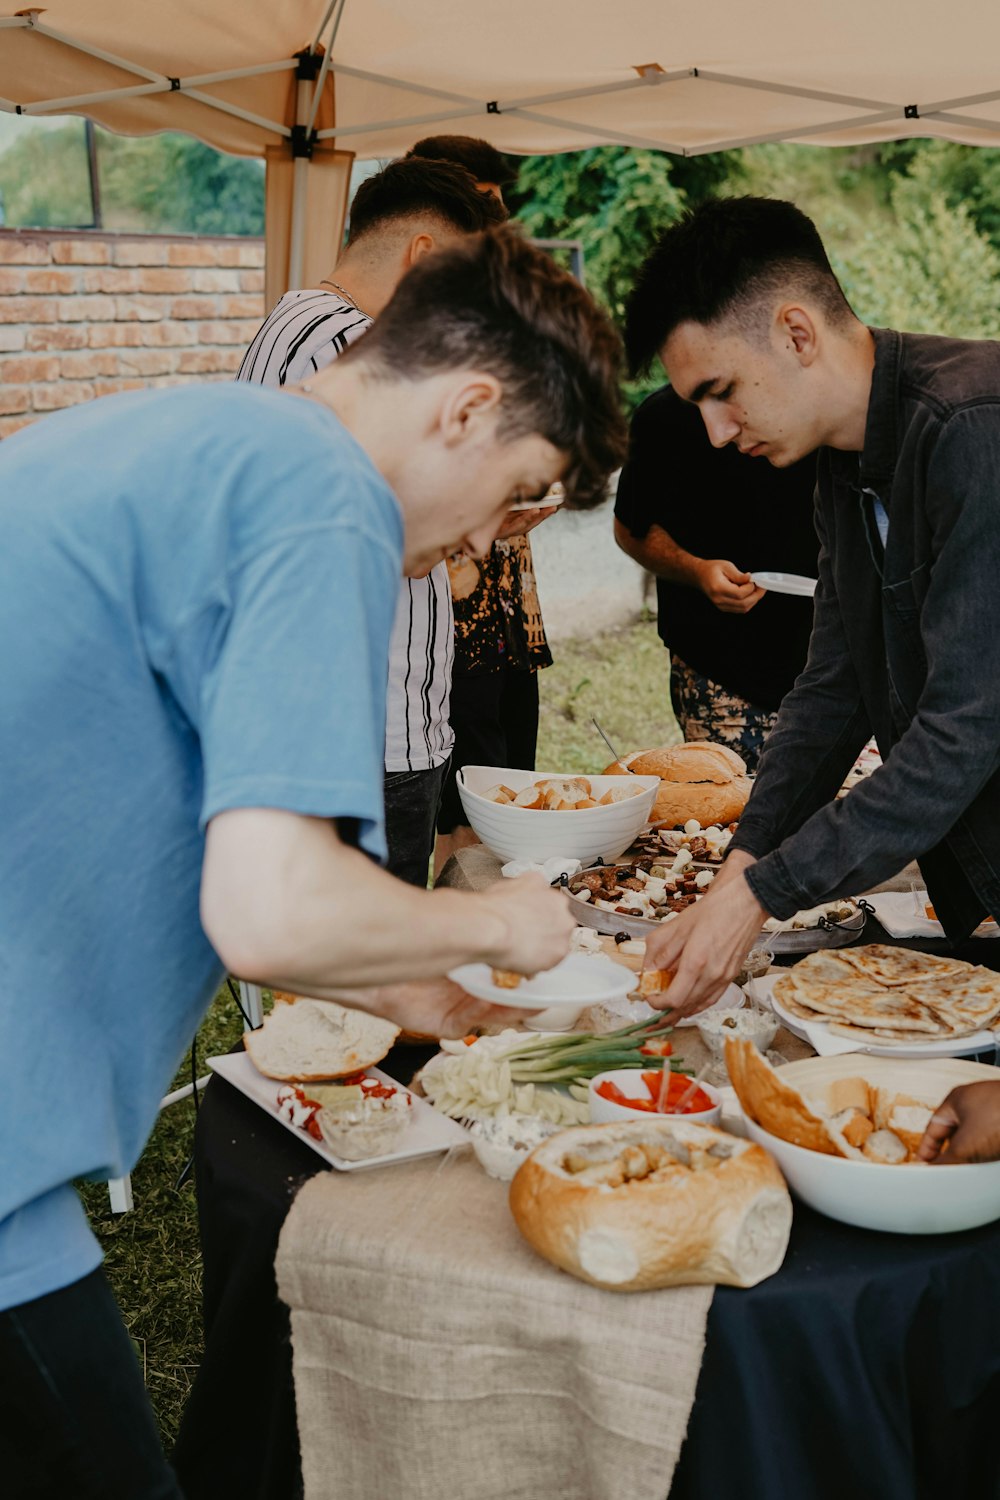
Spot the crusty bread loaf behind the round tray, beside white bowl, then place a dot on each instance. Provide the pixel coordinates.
(701, 779)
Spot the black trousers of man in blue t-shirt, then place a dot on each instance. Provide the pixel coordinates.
(76, 1423)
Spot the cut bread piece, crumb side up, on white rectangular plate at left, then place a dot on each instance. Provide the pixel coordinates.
(316, 1040)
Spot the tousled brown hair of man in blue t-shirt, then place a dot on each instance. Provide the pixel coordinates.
(500, 305)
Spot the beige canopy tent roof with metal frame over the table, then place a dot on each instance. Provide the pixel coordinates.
(310, 85)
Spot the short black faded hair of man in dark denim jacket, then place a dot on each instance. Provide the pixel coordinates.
(728, 260)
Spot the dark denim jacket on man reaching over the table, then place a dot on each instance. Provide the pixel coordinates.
(906, 646)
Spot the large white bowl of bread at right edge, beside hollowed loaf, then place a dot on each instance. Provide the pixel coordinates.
(912, 1199)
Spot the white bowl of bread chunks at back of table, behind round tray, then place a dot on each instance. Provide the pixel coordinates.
(518, 833)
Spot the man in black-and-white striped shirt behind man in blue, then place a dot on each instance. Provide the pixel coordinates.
(398, 217)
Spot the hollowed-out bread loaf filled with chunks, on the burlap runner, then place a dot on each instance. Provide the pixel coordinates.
(654, 1204)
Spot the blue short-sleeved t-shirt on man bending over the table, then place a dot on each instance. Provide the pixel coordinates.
(197, 592)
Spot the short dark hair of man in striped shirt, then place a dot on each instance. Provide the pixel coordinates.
(410, 188)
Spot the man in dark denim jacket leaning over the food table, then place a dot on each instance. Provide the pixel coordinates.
(752, 325)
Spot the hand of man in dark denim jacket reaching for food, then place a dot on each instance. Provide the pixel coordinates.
(707, 944)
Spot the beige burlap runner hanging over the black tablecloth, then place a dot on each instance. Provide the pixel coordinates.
(439, 1358)
